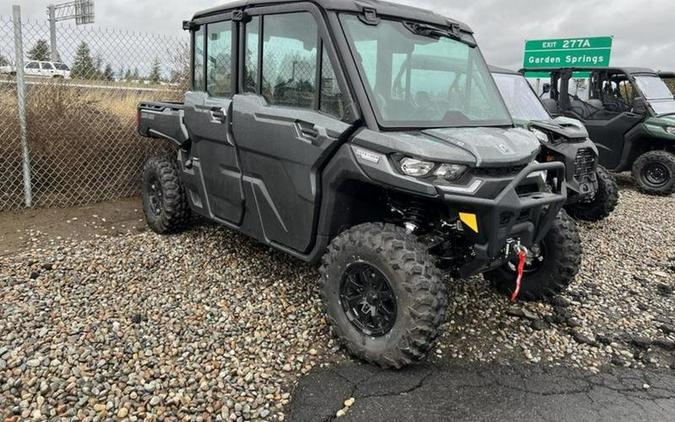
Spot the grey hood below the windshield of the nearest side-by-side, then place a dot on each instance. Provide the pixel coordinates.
(476, 147)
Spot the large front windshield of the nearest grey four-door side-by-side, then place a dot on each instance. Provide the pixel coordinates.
(421, 80)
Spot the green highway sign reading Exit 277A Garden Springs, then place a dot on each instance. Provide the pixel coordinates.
(568, 52)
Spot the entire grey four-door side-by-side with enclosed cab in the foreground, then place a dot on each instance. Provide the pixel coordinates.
(295, 134)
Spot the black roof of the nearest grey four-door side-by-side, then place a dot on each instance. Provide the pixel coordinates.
(382, 8)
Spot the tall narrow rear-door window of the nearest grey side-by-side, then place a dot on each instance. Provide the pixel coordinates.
(219, 60)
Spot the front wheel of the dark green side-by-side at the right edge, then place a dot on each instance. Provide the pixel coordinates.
(661, 163)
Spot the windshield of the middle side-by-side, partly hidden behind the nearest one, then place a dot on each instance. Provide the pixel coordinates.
(520, 99)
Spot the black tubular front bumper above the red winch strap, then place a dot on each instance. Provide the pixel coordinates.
(509, 215)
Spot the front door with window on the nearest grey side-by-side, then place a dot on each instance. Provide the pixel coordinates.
(288, 120)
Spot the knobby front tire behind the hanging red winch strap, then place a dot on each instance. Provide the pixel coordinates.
(561, 248)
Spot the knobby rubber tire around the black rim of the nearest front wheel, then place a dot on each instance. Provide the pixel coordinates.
(411, 273)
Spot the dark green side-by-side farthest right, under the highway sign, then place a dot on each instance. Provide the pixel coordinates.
(629, 114)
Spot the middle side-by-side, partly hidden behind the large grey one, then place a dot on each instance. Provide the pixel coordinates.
(592, 193)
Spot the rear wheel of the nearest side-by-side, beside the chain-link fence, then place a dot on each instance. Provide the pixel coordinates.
(165, 204)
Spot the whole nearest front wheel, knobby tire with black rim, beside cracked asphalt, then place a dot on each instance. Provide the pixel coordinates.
(383, 295)
